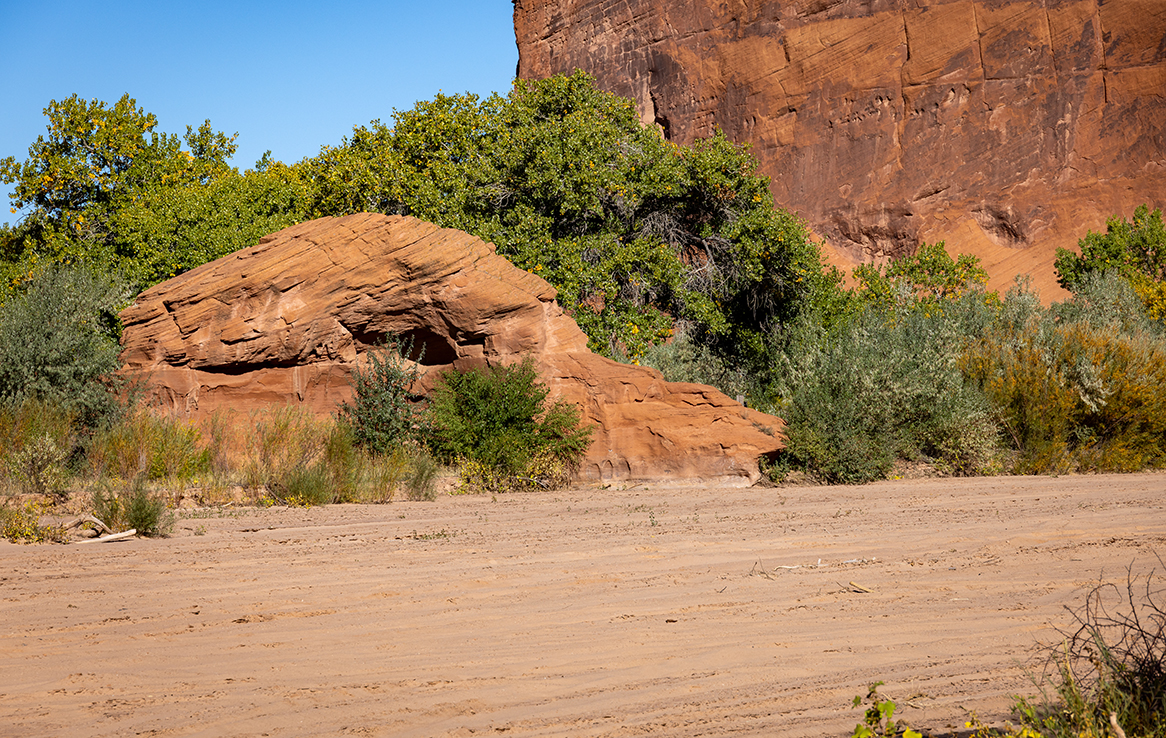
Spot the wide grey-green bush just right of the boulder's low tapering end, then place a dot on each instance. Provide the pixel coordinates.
(883, 386)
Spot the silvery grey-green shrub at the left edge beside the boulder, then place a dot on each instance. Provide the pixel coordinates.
(59, 343)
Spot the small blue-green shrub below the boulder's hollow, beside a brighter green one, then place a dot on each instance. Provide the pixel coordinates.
(384, 416)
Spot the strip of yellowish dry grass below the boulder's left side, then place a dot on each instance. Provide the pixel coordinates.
(136, 472)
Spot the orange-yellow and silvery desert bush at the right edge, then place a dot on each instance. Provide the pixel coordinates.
(1077, 386)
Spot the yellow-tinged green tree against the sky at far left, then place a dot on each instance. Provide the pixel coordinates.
(106, 189)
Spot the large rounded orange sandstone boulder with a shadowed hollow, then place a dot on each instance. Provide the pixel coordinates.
(287, 320)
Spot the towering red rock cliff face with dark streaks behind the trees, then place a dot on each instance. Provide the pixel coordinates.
(1007, 129)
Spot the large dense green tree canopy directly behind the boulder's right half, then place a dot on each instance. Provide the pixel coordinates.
(636, 233)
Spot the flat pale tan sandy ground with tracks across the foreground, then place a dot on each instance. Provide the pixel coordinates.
(649, 612)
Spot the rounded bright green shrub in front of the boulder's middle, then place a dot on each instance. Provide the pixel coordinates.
(498, 418)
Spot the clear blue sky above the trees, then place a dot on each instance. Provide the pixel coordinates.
(286, 76)
